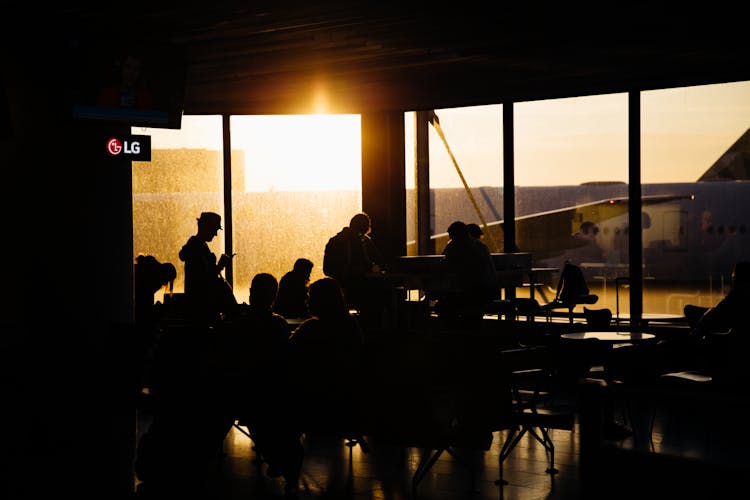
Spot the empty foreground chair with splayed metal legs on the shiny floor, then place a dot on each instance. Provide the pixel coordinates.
(530, 374)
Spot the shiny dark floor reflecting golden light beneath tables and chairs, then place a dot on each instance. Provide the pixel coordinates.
(333, 470)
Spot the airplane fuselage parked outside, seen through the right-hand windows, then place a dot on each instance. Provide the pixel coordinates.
(697, 234)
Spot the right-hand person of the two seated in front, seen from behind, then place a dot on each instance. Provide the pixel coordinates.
(326, 351)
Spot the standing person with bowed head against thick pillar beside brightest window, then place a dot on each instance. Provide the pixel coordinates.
(350, 256)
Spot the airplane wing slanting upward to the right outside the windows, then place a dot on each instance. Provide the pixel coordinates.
(551, 233)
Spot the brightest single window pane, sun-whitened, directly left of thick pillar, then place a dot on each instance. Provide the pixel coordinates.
(297, 180)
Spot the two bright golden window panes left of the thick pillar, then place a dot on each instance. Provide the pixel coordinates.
(295, 181)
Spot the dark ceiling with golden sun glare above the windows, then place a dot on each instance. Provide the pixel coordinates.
(281, 57)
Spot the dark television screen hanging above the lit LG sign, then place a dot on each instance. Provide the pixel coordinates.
(136, 84)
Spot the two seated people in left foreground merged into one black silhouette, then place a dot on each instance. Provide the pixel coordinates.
(253, 368)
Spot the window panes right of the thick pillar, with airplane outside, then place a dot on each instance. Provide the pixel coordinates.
(571, 173)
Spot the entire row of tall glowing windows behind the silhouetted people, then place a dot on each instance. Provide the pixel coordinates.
(296, 180)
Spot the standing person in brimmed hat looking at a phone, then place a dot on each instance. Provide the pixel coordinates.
(207, 292)
